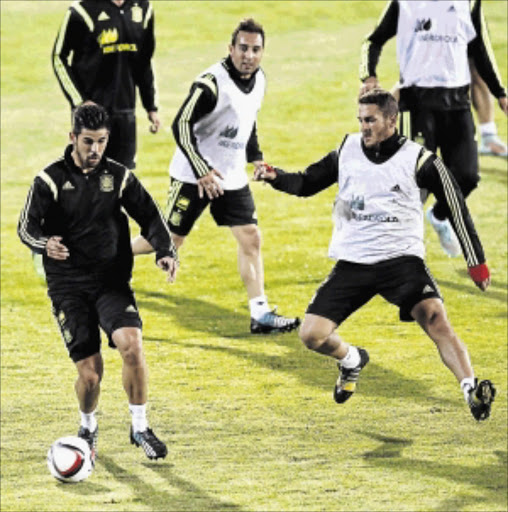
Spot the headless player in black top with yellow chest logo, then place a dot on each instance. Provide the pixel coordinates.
(103, 53)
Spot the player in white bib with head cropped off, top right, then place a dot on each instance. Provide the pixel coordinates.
(434, 41)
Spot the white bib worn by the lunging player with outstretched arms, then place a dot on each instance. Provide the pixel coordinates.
(378, 211)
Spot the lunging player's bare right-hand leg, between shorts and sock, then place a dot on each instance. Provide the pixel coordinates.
(431, 315)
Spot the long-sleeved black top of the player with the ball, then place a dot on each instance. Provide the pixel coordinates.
(87, 210)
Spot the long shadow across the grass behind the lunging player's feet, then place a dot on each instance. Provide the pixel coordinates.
(195, 314)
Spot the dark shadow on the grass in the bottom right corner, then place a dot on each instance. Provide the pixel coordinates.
(489, 480)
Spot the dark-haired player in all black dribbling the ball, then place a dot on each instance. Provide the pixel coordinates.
(74, 216)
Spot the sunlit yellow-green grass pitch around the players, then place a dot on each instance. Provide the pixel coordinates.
(250, 421)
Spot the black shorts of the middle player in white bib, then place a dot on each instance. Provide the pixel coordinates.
(184, 206)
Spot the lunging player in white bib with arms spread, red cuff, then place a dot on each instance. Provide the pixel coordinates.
(378, 240)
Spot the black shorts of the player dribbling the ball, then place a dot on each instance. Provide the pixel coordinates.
(79, 314)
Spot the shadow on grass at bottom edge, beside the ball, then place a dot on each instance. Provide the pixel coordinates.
(178, 495)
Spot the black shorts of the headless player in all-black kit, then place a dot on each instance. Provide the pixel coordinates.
(122, 139)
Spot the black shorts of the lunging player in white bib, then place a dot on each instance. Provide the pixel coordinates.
(403, 281)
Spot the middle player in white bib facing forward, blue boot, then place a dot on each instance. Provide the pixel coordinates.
(216, 136)
